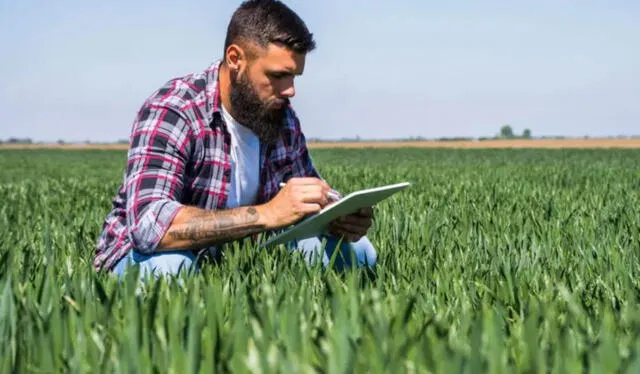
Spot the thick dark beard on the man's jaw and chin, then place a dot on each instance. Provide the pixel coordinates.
(265, 122)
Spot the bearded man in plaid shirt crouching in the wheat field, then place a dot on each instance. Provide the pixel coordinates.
(208, 152)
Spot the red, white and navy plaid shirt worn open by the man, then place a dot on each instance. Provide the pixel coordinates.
(179, 155)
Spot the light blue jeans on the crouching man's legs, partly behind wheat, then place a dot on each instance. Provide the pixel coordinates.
(171, 263)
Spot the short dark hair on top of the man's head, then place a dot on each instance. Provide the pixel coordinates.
(268, 21)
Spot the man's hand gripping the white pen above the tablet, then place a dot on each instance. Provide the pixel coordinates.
(298, 198)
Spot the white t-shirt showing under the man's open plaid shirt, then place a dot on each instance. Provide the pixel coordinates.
(245, 163)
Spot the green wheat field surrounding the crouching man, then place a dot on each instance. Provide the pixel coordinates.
(496, 261)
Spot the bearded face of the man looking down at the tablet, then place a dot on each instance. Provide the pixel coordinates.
(261, 89)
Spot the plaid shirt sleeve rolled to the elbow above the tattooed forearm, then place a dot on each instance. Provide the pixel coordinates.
(156, 163)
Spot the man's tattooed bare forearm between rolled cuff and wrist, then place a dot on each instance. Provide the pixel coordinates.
(210, 228)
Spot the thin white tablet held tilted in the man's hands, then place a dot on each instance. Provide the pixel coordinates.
(317, 224)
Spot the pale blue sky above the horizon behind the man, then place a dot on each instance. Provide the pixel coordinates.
(79, 70)
